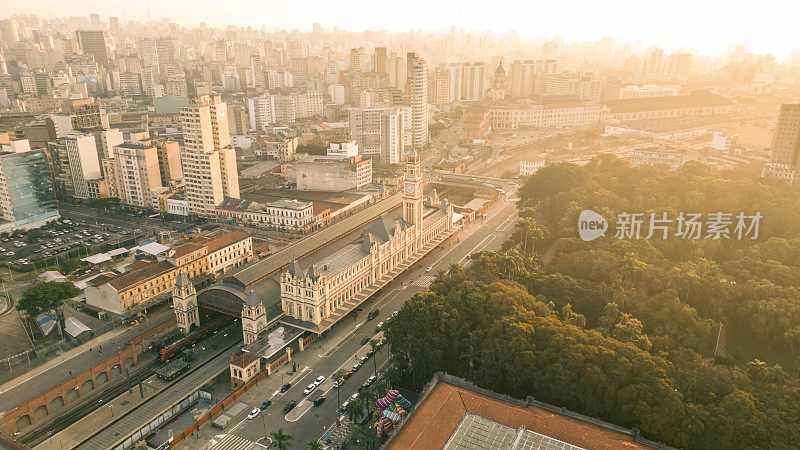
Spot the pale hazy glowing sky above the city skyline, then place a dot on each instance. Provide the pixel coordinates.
(764, 26)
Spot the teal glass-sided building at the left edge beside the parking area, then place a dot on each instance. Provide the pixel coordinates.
(27, 199)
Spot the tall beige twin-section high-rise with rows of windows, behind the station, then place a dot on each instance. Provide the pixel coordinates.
(208, 160)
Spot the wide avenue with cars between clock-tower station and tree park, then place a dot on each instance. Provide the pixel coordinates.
(342, 347)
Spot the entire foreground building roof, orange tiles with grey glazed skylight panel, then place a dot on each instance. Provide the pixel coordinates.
(453, 413)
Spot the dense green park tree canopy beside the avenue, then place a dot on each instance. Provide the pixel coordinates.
(625, 329)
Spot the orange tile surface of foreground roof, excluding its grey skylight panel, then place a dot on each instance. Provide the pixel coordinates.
(432, 423)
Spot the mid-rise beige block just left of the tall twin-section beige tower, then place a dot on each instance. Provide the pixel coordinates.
(137, 173)
